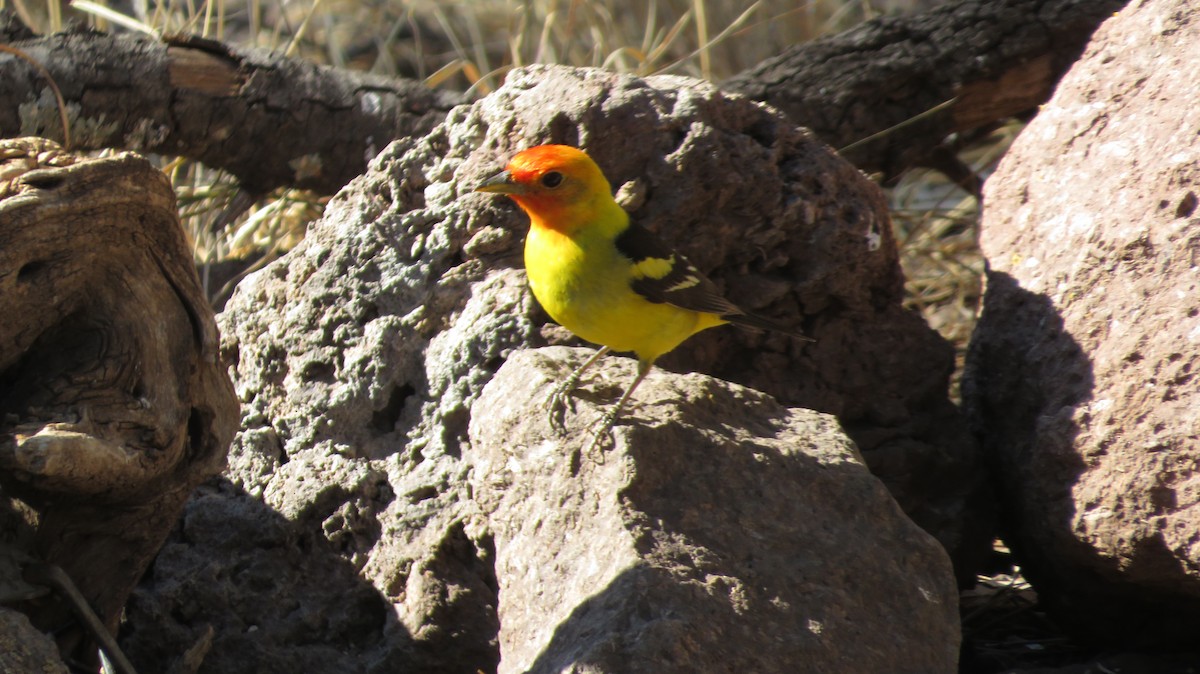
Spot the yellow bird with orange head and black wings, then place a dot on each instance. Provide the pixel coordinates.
(602, 275)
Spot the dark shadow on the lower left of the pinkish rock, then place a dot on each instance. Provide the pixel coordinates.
(1029, 388)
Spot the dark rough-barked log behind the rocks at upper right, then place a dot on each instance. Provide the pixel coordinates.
(989, 59)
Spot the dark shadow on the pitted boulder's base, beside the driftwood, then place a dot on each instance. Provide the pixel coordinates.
(230, 594)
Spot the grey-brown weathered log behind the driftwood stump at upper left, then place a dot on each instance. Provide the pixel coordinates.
(267, 119)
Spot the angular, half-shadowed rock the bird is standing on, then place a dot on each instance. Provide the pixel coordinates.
(698, 546)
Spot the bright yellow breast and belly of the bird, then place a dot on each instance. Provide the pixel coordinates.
(584, 284)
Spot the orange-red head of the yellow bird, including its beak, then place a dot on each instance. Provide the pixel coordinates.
(554, 184)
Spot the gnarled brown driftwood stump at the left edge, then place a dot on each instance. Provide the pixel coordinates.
(115, 405)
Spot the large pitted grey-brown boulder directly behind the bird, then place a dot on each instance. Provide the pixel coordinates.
(347, 527)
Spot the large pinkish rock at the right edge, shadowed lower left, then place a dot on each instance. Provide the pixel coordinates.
(1083, 371)
